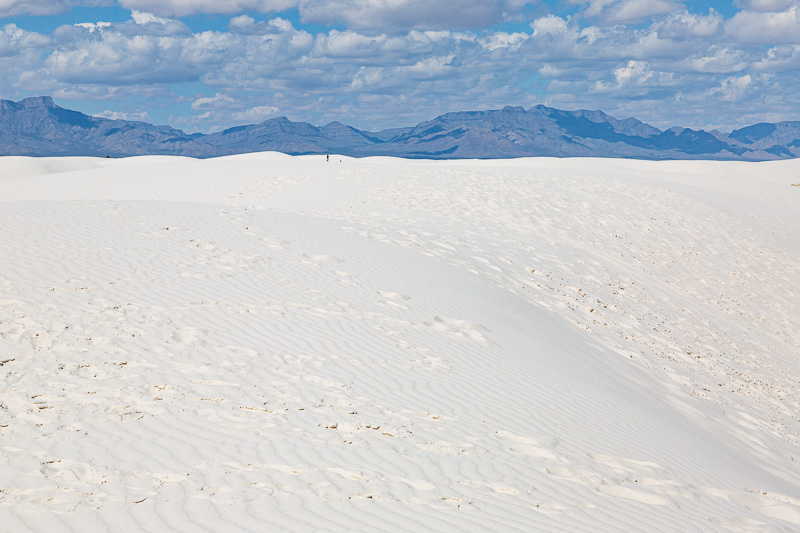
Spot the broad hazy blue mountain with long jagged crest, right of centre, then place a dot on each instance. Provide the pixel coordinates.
(544, 131)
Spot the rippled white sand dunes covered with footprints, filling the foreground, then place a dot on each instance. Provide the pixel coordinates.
(268, 343)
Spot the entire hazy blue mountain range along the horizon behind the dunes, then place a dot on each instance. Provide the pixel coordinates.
(38, 127)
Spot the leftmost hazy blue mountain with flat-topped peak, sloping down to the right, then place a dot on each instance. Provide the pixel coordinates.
(37, 126)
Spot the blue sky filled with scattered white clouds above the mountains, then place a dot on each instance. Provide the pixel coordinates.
(207, 65)
